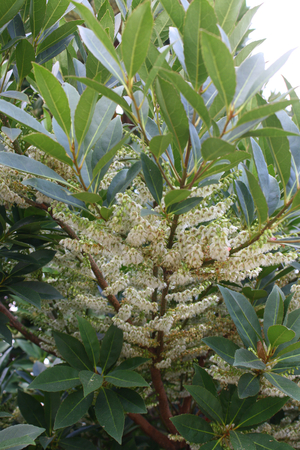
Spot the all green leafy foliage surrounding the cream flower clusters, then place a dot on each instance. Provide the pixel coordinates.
(193, 105)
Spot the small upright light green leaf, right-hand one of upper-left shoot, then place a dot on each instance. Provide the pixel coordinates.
(84, 114)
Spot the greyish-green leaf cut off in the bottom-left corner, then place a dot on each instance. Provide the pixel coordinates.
(20, 432)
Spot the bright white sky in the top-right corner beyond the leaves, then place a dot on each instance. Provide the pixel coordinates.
(279, 22)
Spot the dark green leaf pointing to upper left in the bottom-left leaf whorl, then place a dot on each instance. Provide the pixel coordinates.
(72, 351)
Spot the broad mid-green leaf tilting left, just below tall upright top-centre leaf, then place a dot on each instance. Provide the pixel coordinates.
(173, 112)
